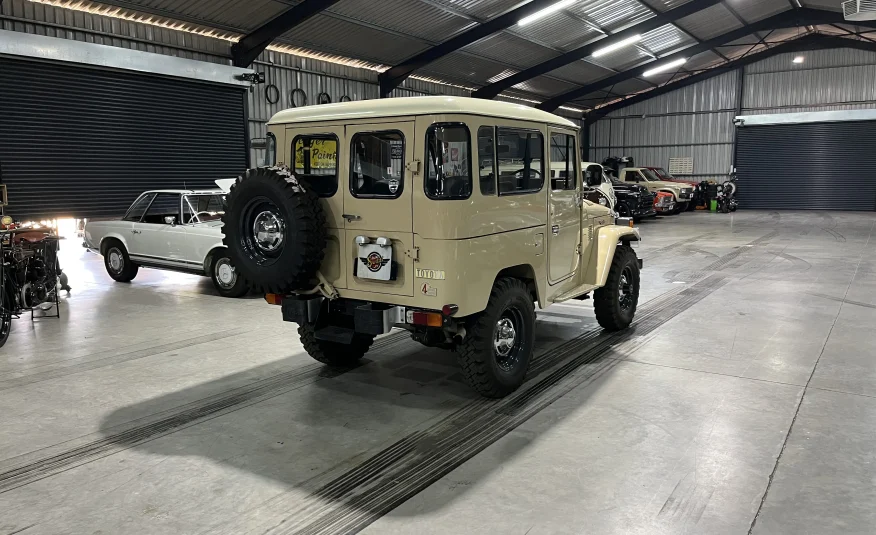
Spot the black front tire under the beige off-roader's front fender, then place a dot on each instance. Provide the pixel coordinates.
(610, 313)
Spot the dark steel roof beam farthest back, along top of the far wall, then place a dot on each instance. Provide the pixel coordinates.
(808, 42)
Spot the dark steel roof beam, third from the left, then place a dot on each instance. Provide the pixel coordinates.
(492, 90)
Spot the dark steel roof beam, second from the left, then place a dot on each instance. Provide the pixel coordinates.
(394, 76)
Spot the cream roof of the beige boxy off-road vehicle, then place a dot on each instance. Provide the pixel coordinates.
(404, 106)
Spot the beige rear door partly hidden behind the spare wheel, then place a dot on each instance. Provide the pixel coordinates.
(317, 156)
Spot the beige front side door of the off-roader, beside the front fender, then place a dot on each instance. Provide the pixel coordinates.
(564, 207)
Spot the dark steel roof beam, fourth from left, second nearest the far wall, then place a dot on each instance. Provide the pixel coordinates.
(786, 19)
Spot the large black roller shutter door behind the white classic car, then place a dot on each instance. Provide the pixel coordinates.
(85, 142)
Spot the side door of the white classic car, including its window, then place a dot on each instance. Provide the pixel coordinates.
(157, 240)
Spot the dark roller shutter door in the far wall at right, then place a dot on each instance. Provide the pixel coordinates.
(810, 166)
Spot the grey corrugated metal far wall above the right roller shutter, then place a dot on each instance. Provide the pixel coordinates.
(696, 121)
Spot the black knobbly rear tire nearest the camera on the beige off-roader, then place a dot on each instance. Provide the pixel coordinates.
(477, 354)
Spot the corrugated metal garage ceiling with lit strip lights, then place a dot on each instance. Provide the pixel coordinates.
(478, 45)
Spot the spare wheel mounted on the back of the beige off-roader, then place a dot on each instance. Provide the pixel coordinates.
(274, 230)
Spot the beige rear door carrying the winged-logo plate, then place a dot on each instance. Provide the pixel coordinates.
(378, 208)
